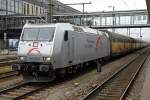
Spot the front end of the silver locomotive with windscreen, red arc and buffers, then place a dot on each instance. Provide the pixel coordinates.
(35, 54)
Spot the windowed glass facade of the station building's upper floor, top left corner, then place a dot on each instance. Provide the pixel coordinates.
(20, 7)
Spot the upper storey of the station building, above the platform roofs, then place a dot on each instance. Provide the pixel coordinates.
(32, 7)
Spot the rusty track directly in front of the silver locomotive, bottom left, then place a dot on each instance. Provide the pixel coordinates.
(21, 91)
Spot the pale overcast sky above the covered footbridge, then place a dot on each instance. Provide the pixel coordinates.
(102, 5)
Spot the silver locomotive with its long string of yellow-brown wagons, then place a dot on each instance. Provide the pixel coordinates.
(47, 51)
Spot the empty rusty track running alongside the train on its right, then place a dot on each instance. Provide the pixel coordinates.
(116, 86)
